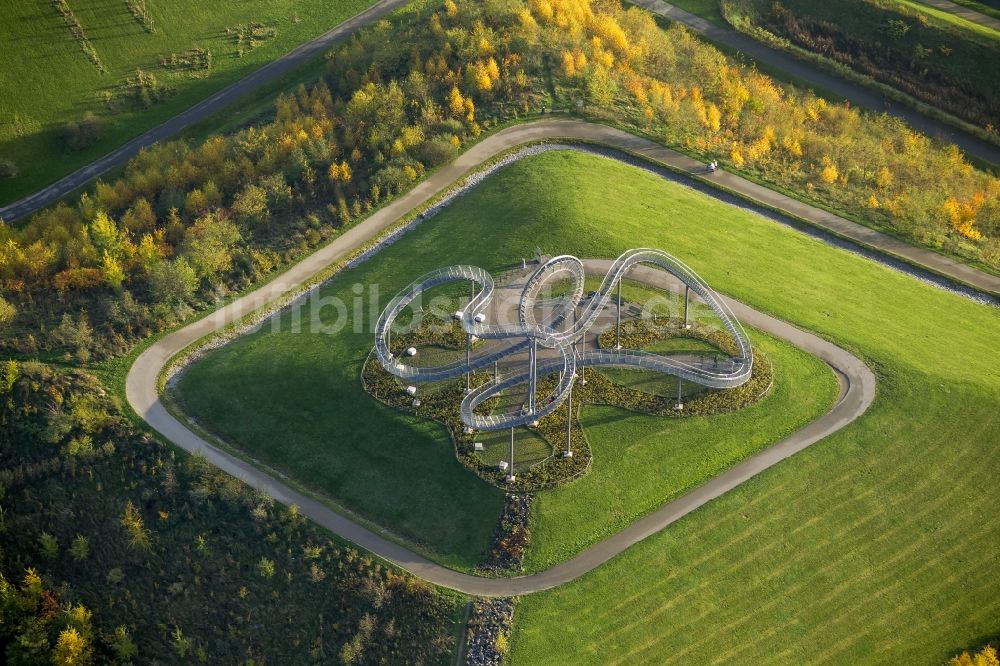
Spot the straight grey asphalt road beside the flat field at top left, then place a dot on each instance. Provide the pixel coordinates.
(269, 73)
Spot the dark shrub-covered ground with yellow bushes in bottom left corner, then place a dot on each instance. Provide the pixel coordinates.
(120, 550)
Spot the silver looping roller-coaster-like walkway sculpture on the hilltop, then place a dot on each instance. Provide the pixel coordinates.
(555, 334)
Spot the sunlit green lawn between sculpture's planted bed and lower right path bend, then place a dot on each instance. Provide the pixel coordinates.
(642, 462)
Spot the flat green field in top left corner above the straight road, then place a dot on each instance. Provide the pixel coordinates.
(48, 80)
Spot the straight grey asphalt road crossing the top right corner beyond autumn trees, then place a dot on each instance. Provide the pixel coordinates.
(857, 94)
